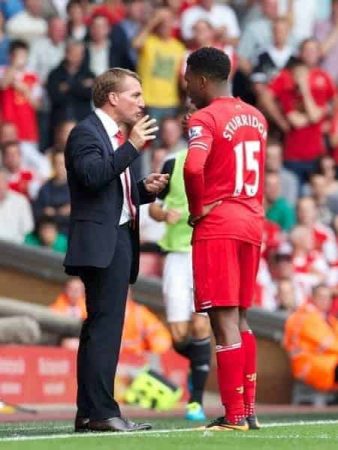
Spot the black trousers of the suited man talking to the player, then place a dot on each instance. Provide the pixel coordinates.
(100, 339)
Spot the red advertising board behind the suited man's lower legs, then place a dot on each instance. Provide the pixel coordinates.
(47, 375)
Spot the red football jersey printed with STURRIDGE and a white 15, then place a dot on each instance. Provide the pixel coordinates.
(225, 161)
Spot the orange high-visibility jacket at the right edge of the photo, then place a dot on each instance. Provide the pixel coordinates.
(312, 344)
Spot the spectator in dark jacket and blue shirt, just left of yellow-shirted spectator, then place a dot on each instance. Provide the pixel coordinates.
(122, 52)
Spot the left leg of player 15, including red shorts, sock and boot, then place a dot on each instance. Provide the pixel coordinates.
(216, 277)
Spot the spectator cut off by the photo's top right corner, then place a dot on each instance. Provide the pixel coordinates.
(326, 32)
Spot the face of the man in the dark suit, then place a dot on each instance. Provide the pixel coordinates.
(128, 101)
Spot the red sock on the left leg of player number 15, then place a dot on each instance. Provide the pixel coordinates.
(230, 366)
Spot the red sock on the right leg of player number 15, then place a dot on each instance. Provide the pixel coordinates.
(249, 350)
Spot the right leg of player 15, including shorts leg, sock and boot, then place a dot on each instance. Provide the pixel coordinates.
(249, 261)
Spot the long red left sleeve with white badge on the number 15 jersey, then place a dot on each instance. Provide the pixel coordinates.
(201, 136)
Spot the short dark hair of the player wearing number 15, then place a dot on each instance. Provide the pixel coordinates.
(211, 63)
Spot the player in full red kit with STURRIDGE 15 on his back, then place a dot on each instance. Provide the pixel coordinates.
(223, 175)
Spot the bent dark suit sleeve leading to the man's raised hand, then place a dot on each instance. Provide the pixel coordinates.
(90, 167)
